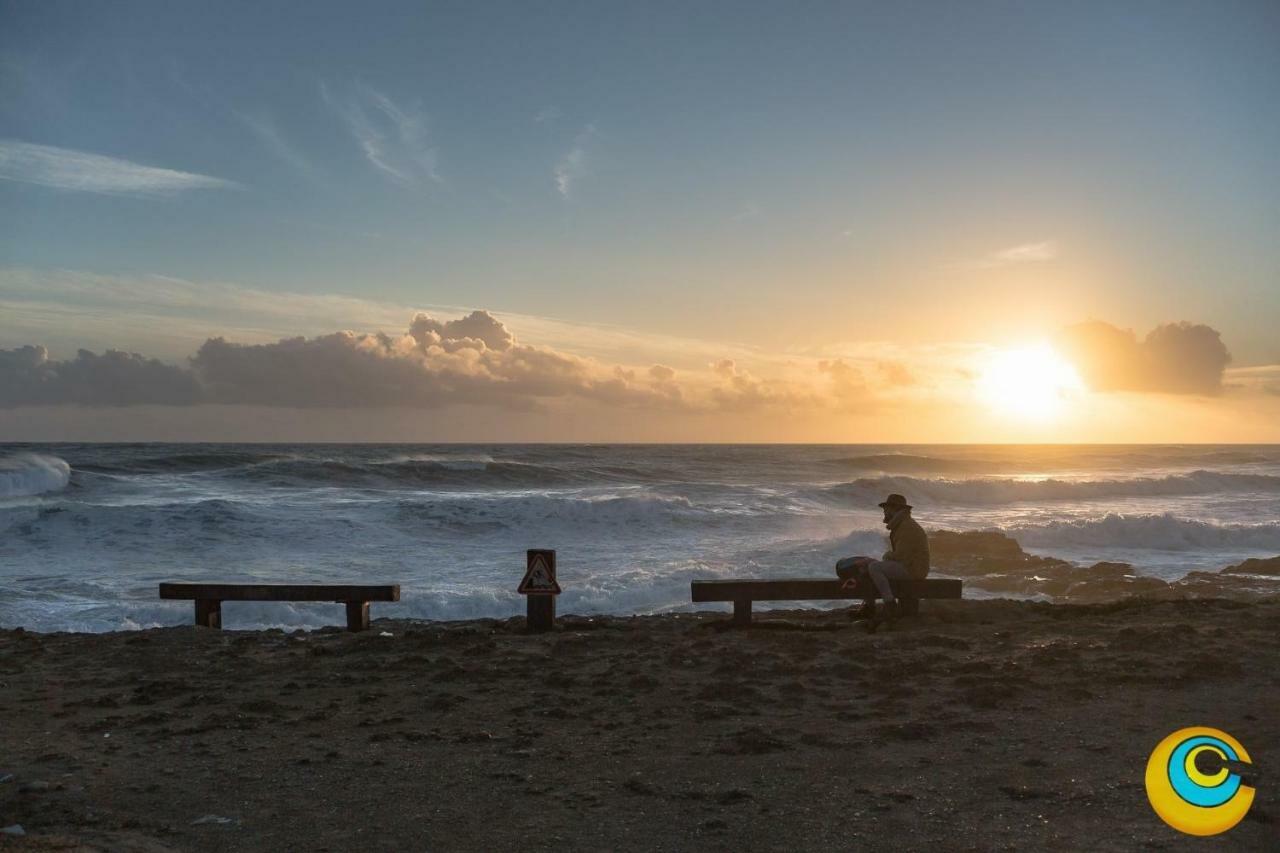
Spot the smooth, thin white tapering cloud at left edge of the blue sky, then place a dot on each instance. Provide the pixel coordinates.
(84, 172)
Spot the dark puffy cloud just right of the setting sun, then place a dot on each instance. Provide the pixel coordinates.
(1174, 358)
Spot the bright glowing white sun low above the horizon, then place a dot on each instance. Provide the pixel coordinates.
(1031, 384)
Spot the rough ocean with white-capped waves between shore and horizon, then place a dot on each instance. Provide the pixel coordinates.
(89, 531)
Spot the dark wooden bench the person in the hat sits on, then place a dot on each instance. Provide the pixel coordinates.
(746, 591)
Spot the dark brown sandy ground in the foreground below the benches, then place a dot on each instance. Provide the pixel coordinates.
(977, 726)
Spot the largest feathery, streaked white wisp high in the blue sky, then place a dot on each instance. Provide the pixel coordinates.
(395, 138)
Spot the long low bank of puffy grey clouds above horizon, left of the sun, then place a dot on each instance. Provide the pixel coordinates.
(474, 359)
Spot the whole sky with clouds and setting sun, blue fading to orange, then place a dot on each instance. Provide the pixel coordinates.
(833, 222)
